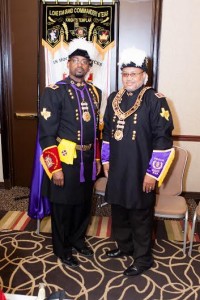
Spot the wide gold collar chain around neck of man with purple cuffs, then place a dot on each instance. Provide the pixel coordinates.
(117, 100)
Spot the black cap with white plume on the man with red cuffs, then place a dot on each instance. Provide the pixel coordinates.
(81, 47)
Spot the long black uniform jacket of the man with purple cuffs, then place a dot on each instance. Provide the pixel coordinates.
(148, 128)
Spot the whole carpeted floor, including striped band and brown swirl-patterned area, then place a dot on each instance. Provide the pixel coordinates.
(26, 259)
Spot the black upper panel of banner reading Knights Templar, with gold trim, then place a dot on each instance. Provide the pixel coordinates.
(64, 23)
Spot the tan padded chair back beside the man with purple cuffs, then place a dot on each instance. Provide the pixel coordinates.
(172, 184)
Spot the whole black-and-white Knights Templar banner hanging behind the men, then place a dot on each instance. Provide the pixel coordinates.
(63, 23)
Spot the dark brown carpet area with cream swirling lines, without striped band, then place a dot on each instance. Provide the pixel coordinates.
(26, 259)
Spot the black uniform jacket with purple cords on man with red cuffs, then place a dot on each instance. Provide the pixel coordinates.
(61, 116)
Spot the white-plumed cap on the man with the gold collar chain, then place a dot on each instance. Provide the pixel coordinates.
(133, 57)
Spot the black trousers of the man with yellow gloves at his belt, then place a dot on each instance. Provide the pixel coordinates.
(69, 225)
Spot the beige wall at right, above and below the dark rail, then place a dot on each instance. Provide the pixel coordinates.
(179, 76)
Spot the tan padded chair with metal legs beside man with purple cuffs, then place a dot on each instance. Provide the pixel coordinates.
(169, 203)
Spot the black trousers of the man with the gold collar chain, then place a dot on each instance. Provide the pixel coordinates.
(132, 229)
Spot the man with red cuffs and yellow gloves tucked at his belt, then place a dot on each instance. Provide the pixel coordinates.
(68, 122)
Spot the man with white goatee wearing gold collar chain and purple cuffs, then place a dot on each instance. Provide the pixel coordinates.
(136, 152)
